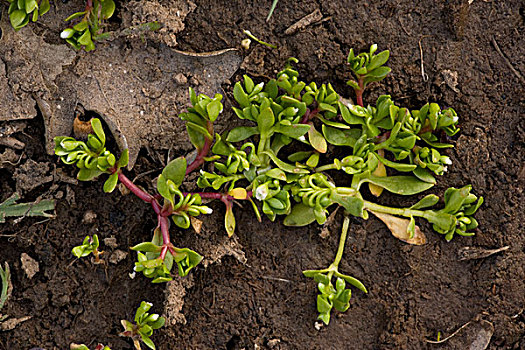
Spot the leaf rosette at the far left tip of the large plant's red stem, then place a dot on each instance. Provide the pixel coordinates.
(91, 157)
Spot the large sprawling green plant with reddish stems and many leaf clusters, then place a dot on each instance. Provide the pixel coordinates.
(385, 146)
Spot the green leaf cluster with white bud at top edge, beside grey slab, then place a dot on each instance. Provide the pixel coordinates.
(85, 31)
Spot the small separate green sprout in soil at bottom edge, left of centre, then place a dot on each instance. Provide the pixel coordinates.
(144, 325)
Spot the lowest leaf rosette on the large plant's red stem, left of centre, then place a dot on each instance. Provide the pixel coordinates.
(152, 265)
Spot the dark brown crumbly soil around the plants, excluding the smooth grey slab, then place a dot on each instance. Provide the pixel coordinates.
(462, 54)
